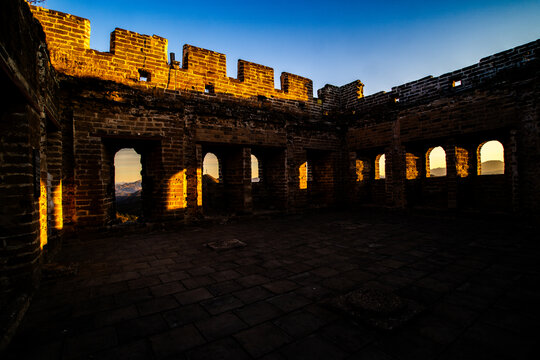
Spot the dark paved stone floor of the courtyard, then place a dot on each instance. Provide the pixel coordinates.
(165, 295)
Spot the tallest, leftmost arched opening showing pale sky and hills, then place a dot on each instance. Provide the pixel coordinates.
(128, 184)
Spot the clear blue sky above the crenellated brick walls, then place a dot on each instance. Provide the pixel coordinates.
(382, 43)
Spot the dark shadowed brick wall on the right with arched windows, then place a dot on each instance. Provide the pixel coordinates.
(495, 101)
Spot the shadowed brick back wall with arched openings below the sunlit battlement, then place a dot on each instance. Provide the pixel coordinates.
(172, 132)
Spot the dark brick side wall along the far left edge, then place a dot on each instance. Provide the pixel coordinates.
(29, 176)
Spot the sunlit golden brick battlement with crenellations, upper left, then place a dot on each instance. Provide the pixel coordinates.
(141, 60)
